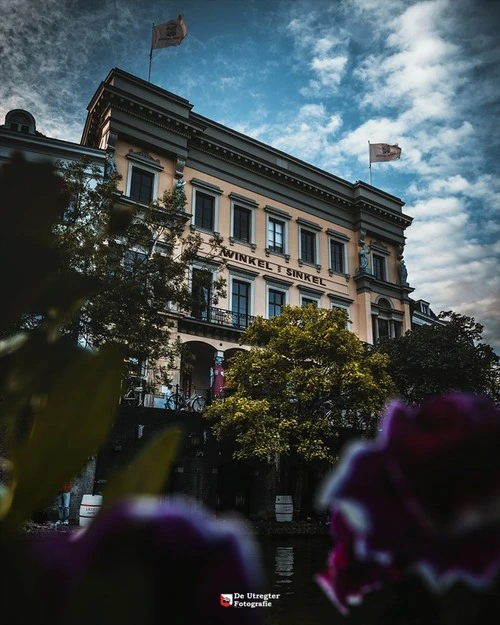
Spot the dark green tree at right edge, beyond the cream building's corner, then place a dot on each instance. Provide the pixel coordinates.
(438, 358)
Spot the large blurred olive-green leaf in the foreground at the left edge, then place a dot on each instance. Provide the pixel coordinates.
(68, 429)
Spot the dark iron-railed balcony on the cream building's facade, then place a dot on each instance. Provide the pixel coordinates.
(216, 322)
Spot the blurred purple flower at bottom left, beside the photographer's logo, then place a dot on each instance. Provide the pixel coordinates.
(144, 560)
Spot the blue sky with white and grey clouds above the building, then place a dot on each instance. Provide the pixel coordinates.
(317, 79)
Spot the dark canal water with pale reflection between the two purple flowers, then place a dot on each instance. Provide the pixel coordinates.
(290, 564)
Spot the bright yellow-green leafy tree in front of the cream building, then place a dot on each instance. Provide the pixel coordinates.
(305, 377)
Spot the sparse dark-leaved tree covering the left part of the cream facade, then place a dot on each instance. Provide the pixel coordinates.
(141, 268)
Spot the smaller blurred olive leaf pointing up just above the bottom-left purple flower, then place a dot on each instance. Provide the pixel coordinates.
(149, 469)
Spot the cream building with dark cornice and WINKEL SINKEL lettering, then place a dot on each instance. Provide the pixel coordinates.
(294, 234)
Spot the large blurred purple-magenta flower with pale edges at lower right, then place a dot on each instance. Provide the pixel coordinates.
(423, 498)
